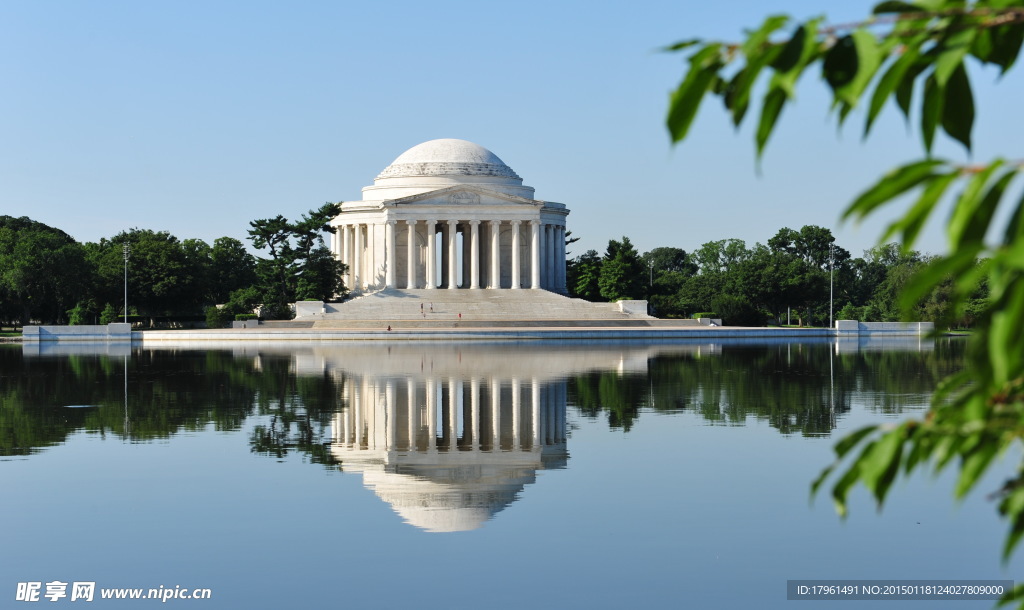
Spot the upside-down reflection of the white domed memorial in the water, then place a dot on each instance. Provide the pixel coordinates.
(453, 446)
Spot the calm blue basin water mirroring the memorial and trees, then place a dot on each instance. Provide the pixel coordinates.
(475, 476)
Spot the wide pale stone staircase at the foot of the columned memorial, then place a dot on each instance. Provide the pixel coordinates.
(479, 309)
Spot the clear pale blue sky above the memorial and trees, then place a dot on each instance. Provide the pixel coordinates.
(196, 118)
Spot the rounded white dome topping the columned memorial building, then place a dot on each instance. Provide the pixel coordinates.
(448, 158)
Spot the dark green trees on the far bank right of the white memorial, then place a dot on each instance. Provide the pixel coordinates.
(795, 277)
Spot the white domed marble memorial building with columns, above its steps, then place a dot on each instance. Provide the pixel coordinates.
(450, 214)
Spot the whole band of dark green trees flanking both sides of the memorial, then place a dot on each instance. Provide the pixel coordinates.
(48, 277)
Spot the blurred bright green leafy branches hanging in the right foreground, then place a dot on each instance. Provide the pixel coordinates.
(929, 46)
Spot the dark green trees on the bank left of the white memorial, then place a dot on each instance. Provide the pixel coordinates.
(47, 277)
